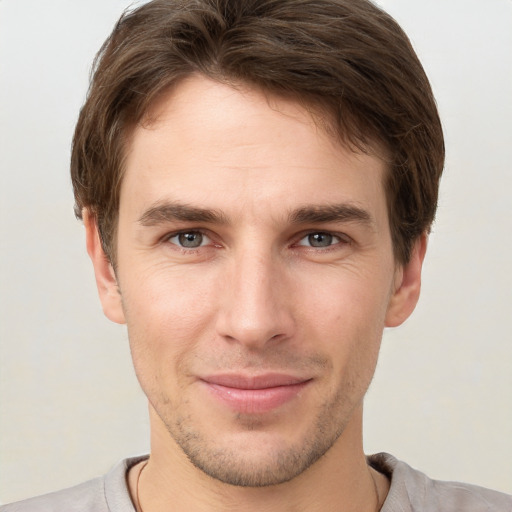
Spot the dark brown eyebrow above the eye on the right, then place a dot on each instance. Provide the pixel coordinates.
(331, 213)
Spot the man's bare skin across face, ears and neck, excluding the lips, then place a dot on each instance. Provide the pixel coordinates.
(270, 287)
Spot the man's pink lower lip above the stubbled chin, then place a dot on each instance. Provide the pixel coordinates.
(256, 401)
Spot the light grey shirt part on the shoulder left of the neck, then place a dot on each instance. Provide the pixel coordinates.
(108, 493)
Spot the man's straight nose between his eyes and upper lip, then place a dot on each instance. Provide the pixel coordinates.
(255, 306)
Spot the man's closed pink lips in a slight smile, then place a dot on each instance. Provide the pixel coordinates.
(255, 394)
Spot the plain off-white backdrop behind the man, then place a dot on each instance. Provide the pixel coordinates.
(70, 405)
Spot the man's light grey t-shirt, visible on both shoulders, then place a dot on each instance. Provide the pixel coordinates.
(410, 491)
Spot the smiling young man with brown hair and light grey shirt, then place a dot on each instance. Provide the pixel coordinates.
(257, 181)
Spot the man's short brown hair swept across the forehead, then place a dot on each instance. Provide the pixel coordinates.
(347, 57)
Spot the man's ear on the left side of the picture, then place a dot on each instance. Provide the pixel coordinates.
(106, 280)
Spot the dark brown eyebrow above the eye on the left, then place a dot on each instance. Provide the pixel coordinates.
(169, 212)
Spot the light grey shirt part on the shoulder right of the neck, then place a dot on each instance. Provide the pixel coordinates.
(413, 491)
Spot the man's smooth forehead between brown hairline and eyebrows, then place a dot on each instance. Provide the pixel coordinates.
(211, 144)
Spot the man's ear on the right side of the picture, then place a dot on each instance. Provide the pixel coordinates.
(407, 285)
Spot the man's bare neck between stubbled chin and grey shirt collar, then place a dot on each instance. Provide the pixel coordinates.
(340, 480)
